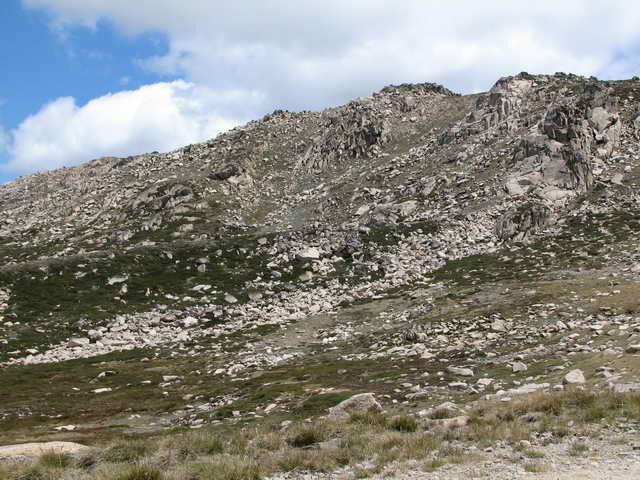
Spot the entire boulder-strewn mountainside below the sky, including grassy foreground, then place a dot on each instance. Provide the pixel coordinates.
(416, 281)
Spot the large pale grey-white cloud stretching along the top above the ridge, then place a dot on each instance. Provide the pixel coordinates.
(318, 52)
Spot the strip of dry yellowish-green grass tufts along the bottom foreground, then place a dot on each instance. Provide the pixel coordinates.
(374, 440)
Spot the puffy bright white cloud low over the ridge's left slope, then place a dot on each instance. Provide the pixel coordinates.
(161, 116)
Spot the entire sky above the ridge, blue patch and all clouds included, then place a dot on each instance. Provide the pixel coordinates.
(88, 78)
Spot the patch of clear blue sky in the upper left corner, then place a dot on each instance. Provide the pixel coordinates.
(43, 63)
